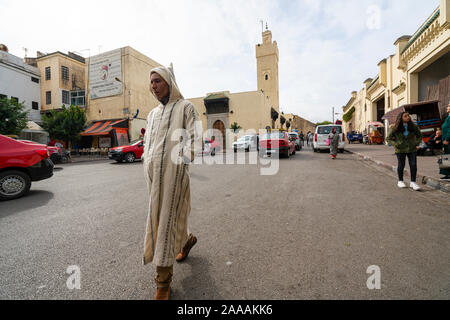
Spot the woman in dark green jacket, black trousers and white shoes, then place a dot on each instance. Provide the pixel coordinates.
(406, 137)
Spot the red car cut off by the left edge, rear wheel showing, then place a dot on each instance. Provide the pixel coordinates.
(21, 163)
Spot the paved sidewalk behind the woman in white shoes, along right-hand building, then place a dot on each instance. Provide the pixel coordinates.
(428, 169)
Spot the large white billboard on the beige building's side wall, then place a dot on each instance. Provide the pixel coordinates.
(103, 71)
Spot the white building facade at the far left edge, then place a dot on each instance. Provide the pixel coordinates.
(21, 81)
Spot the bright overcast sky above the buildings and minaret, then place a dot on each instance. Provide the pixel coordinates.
(327, 47)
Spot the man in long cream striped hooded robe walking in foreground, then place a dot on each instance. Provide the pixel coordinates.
(166, 159)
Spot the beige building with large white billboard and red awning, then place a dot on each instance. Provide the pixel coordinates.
(119, 98)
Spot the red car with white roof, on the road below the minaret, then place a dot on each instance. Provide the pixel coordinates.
(276, 143)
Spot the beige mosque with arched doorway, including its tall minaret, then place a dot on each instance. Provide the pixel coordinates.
(253, 110)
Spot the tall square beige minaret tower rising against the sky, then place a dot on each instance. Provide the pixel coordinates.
(267, 65)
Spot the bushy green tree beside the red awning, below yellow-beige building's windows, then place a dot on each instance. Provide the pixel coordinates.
(65, 125)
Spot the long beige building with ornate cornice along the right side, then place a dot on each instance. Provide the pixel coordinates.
(418, 71)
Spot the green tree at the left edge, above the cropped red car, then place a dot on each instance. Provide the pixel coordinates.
(13, 115)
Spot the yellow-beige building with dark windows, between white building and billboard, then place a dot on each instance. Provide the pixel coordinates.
(63, 79)
